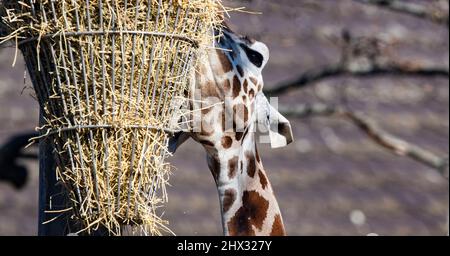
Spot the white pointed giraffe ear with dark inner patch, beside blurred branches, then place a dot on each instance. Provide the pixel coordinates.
(278, 127)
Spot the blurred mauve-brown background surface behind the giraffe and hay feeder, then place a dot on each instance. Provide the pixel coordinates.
(362, 83)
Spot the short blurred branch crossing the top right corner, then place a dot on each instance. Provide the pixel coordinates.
(410, 8)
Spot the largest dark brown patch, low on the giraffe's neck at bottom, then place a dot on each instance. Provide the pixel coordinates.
(251, 214)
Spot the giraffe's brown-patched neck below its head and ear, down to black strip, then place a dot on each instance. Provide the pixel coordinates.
(248, 204)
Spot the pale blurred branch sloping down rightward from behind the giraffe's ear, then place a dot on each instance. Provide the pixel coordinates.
(374, 132)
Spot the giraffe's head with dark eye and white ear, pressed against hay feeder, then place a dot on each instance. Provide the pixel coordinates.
(228, 101)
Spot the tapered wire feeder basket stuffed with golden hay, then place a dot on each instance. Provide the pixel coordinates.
(109, 76)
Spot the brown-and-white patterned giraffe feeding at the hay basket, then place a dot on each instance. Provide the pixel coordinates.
(232, 77)
